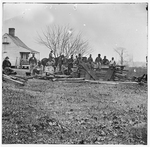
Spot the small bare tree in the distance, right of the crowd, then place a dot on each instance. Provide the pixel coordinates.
(122, 54)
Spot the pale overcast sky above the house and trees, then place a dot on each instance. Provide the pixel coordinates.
(105, 26)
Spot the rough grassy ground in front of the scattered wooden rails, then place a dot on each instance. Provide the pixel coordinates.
(46, 112)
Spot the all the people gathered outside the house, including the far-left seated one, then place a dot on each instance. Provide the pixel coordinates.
(62, 64)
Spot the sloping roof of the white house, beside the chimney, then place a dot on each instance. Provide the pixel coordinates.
(19, 43)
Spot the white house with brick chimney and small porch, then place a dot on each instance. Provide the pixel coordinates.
(16, 50)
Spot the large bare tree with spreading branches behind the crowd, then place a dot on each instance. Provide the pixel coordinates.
(63, 40)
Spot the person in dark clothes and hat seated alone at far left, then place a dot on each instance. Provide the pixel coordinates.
(7, 67)
